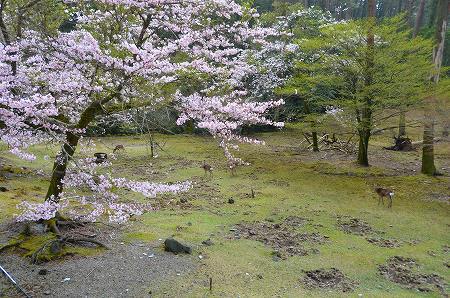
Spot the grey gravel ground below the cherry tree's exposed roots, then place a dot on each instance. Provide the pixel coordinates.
(126, 270)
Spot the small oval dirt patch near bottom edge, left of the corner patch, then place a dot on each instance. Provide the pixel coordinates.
(328, 279)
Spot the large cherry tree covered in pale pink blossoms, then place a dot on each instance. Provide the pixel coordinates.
(121, 54)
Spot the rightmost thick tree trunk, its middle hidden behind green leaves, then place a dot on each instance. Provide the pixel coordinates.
(428, 166)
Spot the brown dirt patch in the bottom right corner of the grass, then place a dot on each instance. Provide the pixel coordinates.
(404, 271)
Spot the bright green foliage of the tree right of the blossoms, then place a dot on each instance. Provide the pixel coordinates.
(334, 67)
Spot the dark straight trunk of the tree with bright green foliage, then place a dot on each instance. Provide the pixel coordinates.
(365, 123)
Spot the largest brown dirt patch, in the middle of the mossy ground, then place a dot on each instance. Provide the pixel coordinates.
(282, 237)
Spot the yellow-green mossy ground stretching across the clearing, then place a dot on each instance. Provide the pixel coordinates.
(286, 181)
